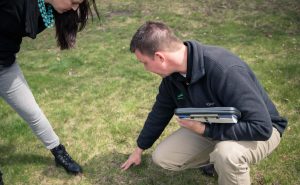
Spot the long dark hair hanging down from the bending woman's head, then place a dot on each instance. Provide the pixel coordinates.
(69, 23)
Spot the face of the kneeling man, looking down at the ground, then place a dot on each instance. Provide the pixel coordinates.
(155, 65)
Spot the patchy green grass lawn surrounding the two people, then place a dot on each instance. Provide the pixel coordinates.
(97, 96)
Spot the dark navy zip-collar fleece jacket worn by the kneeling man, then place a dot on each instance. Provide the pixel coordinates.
(218, 78)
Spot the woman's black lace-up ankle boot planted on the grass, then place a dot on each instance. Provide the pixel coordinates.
(62, 158)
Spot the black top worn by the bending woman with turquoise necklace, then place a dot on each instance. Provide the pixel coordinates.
(18, 18)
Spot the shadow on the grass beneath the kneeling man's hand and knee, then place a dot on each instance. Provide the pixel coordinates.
(105, 169)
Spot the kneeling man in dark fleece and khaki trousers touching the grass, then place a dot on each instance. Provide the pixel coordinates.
(197, 75)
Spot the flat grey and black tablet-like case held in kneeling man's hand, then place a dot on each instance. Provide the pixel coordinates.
(210, 115)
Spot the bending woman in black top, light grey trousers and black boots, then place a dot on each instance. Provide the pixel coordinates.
(28, 18)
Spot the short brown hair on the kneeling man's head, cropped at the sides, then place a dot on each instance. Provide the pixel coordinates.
(152, 37)
